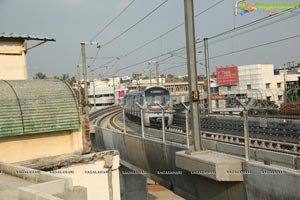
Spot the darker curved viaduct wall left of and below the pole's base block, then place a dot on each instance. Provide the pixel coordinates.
(159, 160)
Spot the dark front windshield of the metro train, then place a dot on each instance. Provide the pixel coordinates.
(157, 96)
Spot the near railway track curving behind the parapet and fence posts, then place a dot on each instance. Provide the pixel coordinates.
(111, 118)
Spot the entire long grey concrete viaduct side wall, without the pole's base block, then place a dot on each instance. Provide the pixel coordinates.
(153, 157)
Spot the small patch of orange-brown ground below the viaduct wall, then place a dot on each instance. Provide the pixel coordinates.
(158, 192)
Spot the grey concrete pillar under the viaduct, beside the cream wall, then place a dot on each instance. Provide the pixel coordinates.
(133, 186)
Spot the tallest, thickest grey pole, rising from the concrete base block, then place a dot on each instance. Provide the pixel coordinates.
(192, 72)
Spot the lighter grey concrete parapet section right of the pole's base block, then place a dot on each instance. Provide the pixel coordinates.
(271, 182)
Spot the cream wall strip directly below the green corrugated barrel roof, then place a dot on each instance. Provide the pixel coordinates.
(27, 147)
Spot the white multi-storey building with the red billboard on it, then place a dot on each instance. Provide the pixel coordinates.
(257, 82)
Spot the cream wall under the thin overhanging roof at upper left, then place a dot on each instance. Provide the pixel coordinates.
(13, 59)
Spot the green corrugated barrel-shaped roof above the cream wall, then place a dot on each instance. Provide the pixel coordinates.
(37, 106)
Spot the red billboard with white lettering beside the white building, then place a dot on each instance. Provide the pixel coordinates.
(227, 76)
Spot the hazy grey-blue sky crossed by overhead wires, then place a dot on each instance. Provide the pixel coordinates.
(71, 22)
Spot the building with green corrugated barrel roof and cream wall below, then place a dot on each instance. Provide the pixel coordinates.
(38, 118)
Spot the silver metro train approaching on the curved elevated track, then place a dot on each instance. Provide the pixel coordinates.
(152, 112)
